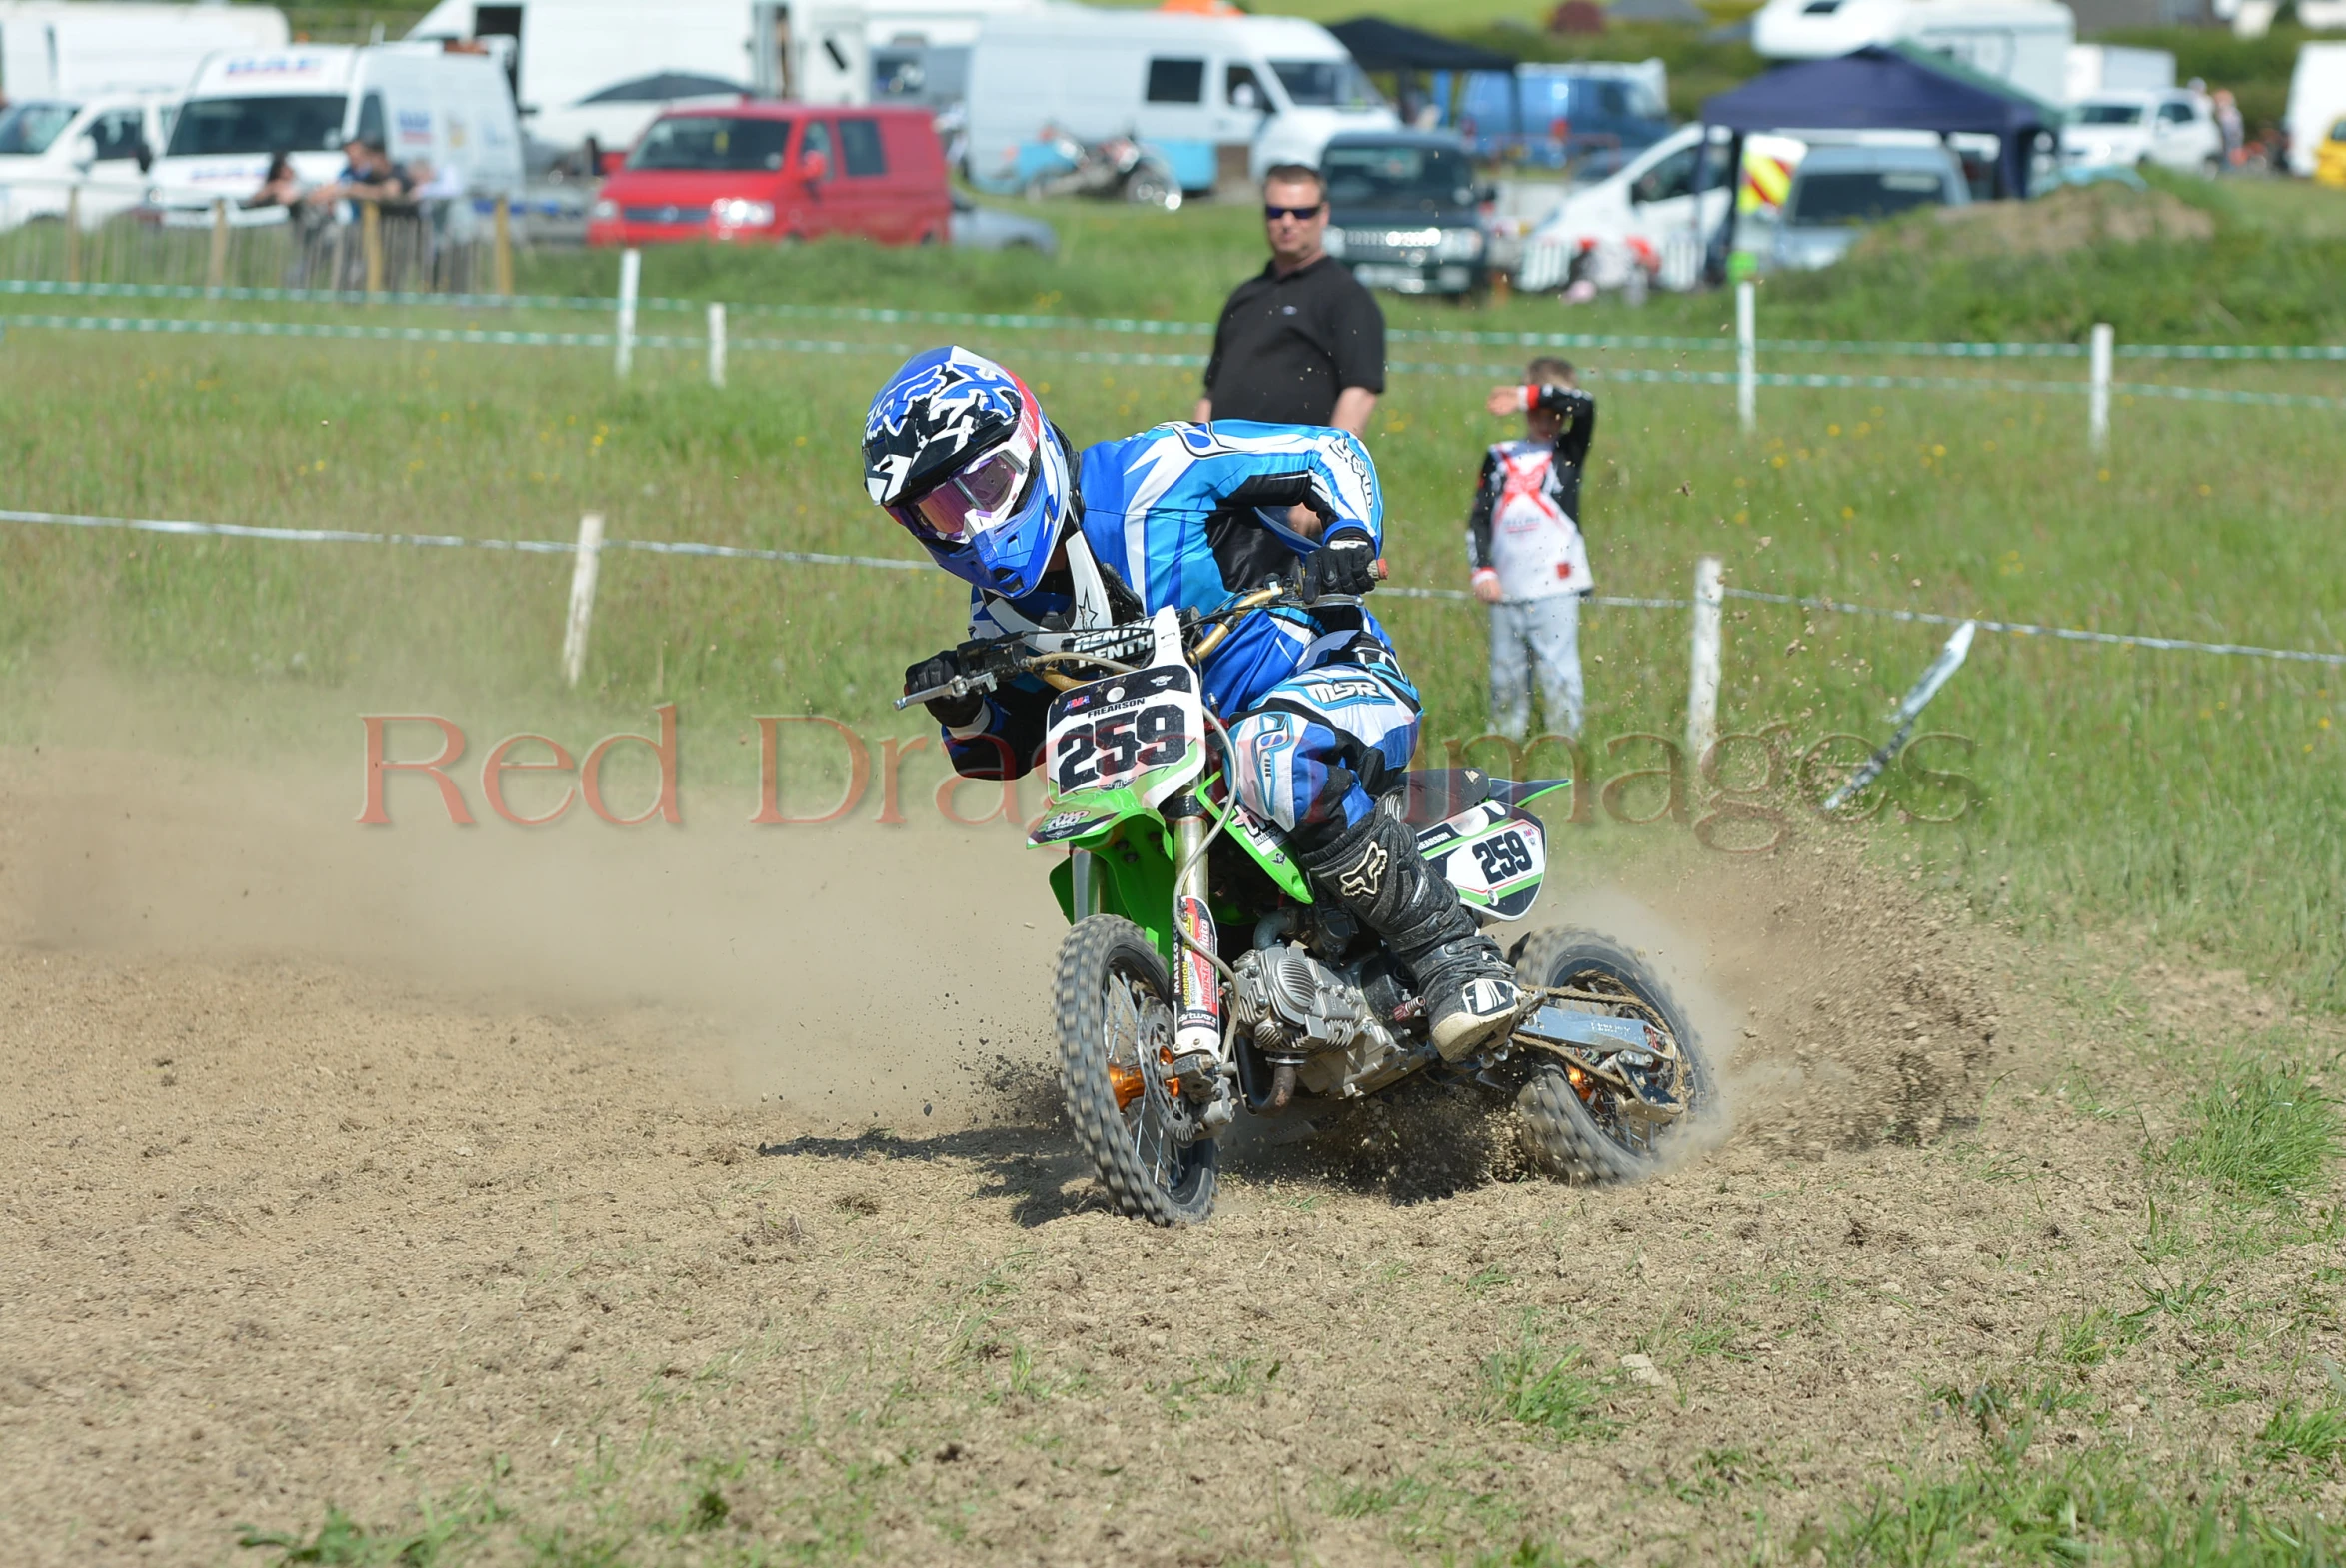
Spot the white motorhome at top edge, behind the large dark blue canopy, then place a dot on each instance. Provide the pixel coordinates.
(2014, 41)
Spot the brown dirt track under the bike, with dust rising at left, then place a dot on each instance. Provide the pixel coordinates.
(358, 1171)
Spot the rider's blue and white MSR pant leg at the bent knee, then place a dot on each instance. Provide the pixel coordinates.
(1317, 746)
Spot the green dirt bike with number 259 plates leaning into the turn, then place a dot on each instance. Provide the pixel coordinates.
(1202, 976)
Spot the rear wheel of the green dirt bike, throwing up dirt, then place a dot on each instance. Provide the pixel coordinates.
(1575, 1124)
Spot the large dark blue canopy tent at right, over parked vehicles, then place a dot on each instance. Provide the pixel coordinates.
(1883, 88)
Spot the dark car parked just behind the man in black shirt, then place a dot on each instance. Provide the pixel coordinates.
(1406, 212)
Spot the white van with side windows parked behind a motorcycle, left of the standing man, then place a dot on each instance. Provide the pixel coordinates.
(1198, 90)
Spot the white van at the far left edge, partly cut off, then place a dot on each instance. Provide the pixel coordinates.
(100, 146)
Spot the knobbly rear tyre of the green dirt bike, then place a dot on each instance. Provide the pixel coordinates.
(1561, 1133)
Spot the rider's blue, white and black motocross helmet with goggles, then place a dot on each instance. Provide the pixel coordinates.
(961, 454)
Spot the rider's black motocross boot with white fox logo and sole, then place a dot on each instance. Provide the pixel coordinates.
(1385, 882)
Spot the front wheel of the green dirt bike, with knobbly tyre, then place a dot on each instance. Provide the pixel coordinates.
(1116, 1035)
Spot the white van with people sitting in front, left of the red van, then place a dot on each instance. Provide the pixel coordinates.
(452, 111)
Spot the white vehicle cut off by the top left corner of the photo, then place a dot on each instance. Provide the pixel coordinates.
(88, 48)
